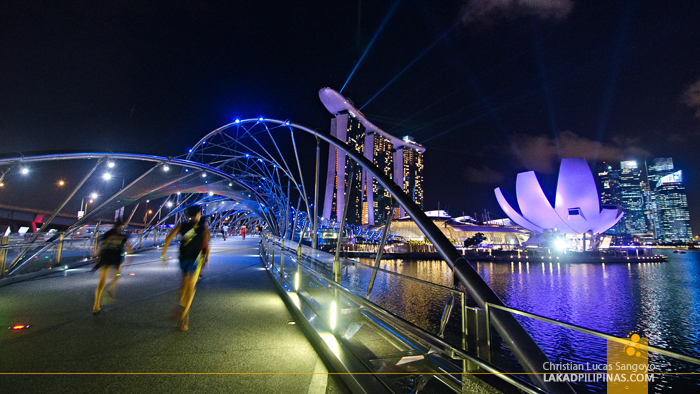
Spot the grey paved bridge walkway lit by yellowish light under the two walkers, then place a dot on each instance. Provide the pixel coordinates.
(239, 339)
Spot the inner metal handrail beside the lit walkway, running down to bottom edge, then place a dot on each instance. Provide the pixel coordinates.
(420, 334)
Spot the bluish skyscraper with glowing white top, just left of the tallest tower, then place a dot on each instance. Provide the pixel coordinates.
(631, 200)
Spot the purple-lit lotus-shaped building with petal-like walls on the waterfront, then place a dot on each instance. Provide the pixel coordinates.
(577, 210)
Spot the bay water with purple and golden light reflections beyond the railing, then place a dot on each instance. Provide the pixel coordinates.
(660, 301)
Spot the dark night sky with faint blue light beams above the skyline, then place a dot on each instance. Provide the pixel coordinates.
(490, 87)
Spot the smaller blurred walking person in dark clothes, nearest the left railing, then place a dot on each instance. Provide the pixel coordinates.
(110, 256)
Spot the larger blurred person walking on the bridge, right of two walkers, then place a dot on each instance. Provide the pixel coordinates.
(194, 254)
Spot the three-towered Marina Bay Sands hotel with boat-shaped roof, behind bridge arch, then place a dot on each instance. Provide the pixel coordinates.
(400, 159)
